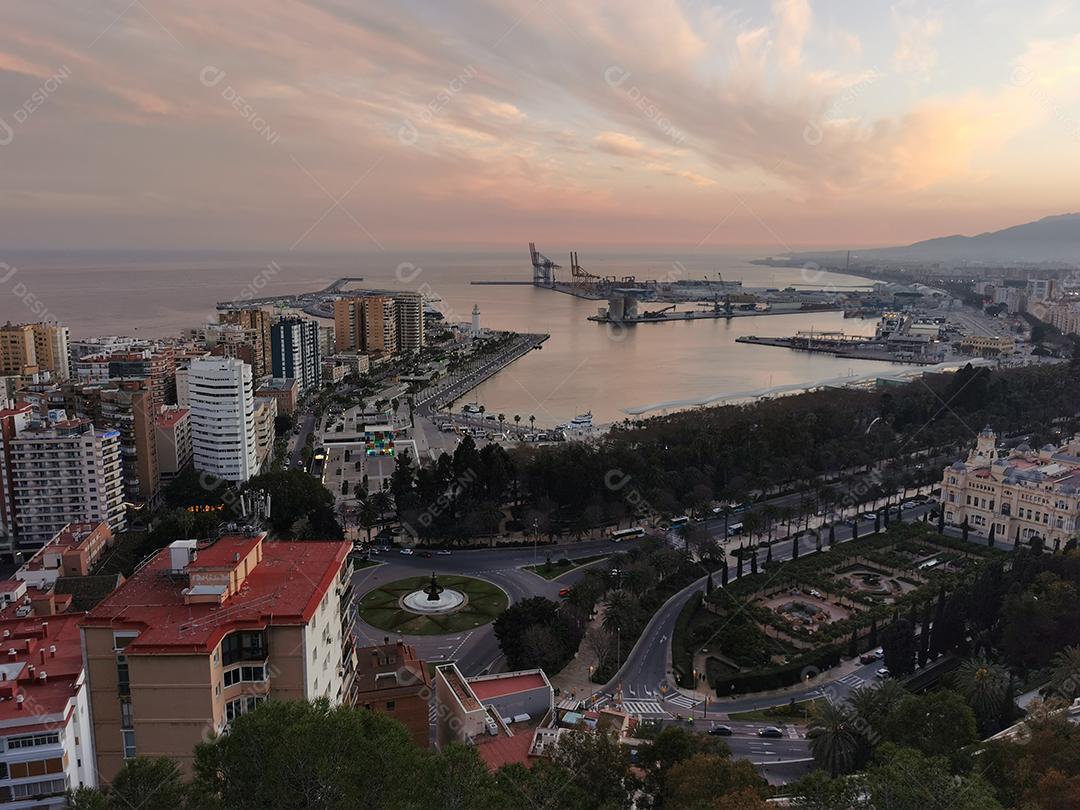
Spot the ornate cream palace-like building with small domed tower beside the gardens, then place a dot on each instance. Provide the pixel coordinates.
(1021, 493)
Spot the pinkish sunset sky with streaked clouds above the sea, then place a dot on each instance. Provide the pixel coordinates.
(372, 126)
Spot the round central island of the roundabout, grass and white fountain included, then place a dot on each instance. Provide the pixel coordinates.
(430, 606)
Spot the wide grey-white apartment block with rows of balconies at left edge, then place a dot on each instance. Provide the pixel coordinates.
(61, 474)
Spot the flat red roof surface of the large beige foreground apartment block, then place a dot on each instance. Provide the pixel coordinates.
(286, 588)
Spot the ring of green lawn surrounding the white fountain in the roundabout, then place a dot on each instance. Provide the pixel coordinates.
(382, 609)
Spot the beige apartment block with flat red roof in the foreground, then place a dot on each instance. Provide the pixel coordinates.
(218, 630)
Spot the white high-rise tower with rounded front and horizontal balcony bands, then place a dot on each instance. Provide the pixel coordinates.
(222, 399)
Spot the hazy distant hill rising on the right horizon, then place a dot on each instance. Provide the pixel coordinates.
(1055, 239)
